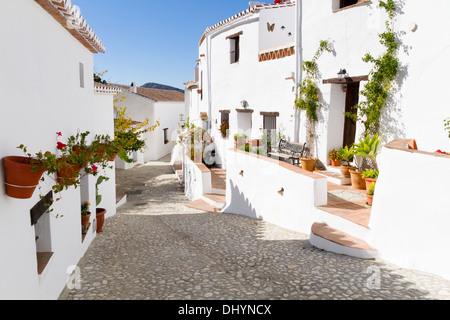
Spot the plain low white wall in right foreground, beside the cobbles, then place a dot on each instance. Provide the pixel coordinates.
(410, 216)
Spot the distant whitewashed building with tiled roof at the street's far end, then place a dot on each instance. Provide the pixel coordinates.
(165, 107)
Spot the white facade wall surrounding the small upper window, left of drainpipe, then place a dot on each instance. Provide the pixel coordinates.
(262, 84)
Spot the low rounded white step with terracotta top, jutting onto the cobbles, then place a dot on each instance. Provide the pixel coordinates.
(333, 240)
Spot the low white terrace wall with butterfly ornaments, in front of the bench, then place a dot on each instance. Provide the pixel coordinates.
(255, 192)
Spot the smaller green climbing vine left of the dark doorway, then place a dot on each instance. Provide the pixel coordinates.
(308, 98)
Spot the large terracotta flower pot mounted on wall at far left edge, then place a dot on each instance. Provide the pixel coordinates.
(20, 180)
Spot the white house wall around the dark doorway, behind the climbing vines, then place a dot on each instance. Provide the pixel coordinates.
(414, 112)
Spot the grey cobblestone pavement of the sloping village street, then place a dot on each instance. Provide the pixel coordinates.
(155, 248)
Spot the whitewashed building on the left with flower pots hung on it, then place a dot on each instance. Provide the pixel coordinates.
(47, 87)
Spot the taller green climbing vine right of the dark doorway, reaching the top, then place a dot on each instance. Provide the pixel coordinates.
(381, 77)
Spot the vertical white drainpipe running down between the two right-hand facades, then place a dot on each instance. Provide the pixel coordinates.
(298, 63)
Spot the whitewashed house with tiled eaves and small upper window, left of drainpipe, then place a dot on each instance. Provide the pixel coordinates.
(245, 74)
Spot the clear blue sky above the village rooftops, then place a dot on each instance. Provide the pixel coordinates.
(153, 41)
